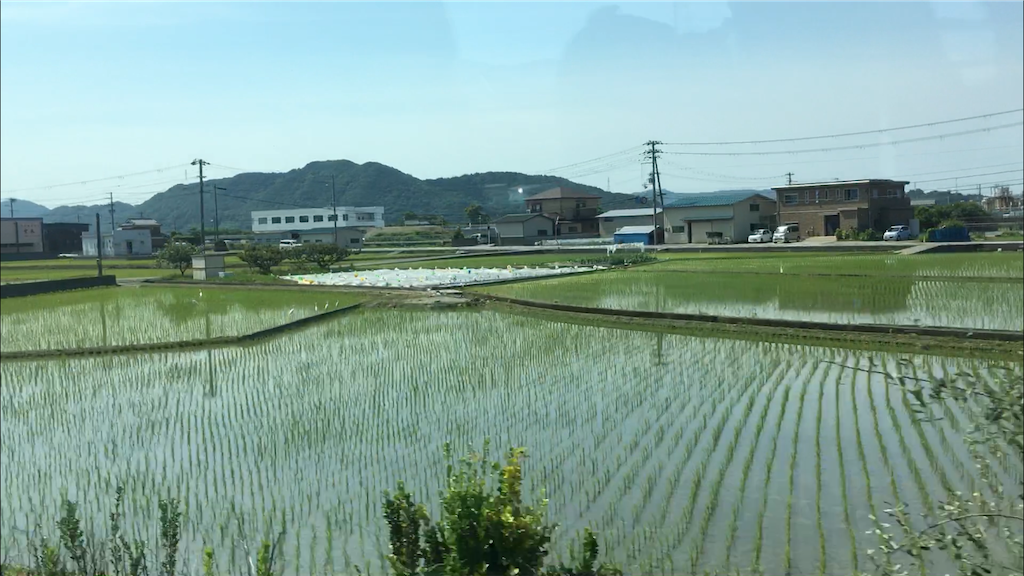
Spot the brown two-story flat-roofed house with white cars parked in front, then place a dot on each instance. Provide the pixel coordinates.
(823, 209)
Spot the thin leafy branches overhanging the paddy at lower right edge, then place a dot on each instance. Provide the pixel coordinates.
(980, 531)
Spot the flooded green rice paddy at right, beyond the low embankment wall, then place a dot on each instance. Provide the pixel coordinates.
(900, 301)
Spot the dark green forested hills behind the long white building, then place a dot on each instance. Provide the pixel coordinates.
(357, 185)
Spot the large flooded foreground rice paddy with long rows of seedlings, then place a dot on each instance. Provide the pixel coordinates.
(672, 457)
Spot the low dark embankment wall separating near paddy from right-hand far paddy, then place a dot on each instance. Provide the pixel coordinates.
(968, 334)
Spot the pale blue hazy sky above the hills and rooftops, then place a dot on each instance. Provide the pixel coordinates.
(121, 97)
